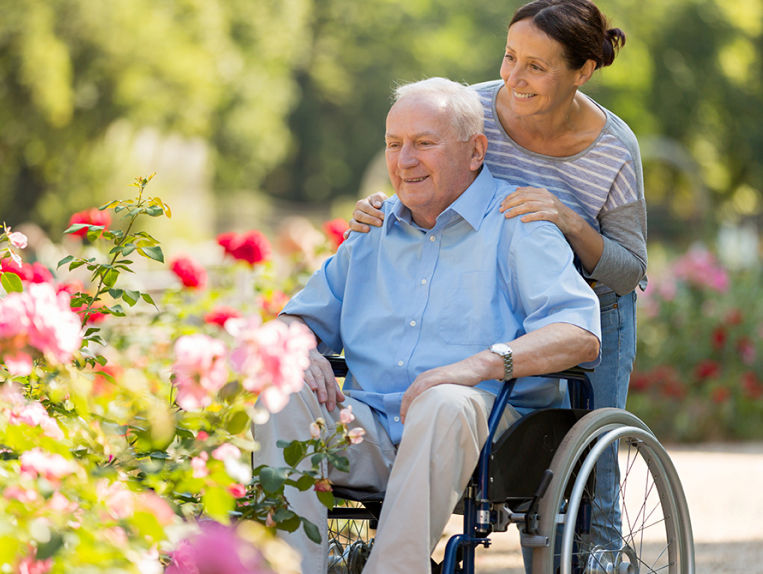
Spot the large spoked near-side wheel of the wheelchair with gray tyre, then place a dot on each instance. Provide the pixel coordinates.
(653, 529)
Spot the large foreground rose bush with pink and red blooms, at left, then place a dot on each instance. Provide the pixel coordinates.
(124, 442)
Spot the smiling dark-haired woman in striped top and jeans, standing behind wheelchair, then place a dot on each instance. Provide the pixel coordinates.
(578, 166)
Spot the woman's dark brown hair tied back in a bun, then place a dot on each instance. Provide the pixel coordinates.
(579, 26)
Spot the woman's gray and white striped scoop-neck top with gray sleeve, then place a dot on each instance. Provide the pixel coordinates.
(603, 184)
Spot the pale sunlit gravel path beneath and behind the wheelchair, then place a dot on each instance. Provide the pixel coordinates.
(724, 489)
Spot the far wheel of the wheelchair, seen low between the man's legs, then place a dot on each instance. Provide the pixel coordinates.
(350, 542)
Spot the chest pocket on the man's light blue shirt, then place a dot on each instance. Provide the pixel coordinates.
(468, 316)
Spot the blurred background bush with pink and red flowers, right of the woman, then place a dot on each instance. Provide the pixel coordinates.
(699, 362)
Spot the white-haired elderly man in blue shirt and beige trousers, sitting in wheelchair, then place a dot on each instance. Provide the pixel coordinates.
(432, 310)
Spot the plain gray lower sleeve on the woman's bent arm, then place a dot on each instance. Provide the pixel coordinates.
(623, 261)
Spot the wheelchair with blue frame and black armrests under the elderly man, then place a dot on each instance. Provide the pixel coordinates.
(540, 474)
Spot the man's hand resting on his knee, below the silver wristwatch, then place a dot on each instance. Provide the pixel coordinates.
(469, 372)
